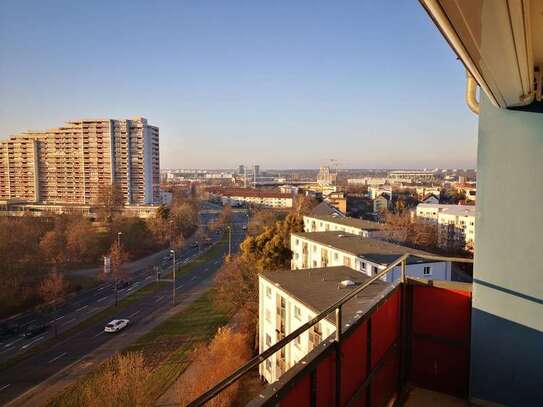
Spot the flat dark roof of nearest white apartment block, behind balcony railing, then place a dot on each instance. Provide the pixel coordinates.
(319, 288)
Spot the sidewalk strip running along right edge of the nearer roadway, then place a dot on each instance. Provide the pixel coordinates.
(41, 394)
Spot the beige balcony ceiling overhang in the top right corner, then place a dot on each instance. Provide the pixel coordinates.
(499, 41)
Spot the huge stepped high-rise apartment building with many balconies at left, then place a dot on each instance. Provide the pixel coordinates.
(74, 163)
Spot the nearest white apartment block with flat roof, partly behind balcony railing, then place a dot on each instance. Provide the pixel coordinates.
(289, 299)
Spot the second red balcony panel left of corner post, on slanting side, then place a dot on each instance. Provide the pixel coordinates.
(354, 364)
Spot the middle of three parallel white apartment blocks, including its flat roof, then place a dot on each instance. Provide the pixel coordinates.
(368, 256)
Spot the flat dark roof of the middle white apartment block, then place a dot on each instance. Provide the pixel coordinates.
(376, 251)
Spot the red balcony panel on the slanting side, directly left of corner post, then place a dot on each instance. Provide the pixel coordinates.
(385, 327)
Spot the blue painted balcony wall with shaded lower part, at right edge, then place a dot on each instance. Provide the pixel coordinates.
(507, 316)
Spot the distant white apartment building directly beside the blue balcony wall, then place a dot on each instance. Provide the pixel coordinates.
(456, 223)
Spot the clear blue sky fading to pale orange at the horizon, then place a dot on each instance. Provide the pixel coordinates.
(286, 84)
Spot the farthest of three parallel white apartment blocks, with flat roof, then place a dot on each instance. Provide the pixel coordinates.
(360, 227)
